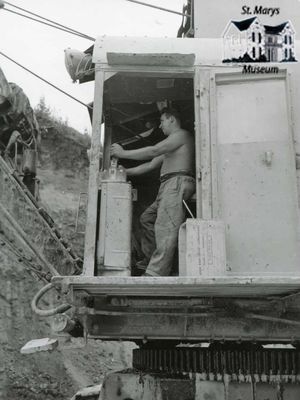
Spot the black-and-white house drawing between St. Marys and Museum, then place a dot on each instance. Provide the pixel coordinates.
(251, 41)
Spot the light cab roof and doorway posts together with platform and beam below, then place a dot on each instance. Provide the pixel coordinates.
(236, 308)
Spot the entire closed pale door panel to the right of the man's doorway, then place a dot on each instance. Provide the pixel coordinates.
(257, 177)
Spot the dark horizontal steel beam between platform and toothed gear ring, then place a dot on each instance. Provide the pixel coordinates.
(185, 328)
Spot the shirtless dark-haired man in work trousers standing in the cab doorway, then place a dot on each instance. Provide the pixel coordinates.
(161, 220)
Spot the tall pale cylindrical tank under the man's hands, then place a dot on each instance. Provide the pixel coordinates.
(114, 238)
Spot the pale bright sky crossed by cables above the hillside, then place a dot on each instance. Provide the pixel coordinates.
(41, 48)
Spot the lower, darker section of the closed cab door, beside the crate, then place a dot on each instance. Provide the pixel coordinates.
(258, 243)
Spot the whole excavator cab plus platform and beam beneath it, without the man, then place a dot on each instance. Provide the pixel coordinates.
(239, 245)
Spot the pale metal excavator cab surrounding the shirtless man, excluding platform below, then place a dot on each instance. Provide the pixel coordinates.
(130, 90)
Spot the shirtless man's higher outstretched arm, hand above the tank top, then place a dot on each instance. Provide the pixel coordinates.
(171, 143)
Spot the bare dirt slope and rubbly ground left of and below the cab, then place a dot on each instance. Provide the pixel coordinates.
(63, 174)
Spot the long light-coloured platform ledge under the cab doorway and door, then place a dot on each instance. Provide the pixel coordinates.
(183, 286)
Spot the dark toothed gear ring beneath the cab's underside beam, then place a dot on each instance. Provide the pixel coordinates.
(262, 365)
